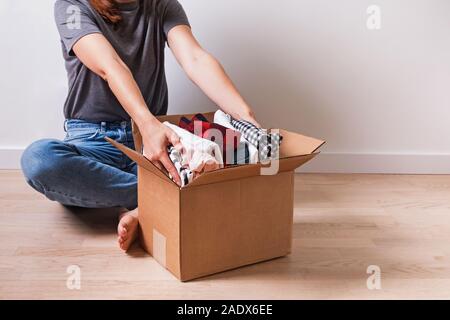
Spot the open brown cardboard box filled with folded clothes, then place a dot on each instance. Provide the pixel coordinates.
(224, 219)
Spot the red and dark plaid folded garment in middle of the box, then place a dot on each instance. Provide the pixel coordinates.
(228, 139)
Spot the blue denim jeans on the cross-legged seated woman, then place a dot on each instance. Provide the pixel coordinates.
(84, 170)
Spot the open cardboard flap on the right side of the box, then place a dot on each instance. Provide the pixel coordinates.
(295, 144)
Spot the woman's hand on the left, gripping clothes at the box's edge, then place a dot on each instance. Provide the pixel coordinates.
(156, 139)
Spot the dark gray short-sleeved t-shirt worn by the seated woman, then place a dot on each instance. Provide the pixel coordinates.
(139, 39)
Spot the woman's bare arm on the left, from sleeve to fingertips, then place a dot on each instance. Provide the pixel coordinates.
(97, 54)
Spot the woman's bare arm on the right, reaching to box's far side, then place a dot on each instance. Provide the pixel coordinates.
(208, 74)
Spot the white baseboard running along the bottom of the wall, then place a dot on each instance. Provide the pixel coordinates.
(330, 163)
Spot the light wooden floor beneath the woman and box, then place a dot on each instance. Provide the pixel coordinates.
(343, 224)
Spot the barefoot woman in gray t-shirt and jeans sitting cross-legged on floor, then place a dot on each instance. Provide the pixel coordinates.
(114, 55)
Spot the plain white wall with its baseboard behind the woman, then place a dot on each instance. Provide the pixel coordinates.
(380, 98)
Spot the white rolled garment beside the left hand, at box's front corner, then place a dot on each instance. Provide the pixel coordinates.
(200, 155)
